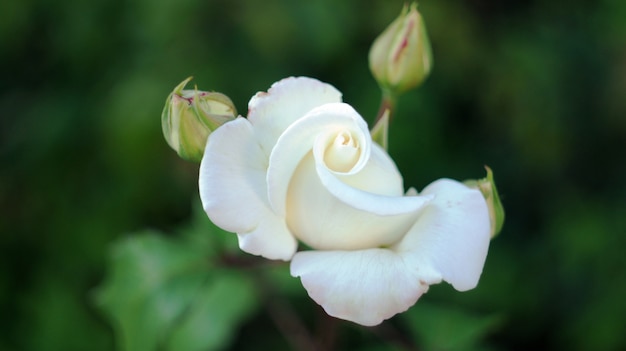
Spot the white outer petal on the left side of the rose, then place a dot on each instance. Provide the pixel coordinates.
(233, 191)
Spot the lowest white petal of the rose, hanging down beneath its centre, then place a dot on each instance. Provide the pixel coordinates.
(364, 287)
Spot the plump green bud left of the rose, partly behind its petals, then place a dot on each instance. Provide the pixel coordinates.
(190, 116)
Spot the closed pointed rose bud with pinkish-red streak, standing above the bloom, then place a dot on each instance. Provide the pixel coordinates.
(401, 58)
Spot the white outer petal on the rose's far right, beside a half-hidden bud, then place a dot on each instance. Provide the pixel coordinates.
(451, 234)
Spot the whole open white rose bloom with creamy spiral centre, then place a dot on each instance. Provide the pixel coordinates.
(303, 167)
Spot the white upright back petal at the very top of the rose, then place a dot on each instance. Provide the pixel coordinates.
(284, 103)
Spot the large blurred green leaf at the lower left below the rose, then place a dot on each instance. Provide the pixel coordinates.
(158, 288)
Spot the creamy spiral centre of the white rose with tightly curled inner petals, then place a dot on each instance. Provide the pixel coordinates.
(323, 211)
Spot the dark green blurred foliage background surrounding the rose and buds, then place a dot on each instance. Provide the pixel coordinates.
(534, 89)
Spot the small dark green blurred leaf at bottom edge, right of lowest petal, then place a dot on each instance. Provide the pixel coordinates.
(442, 328)
